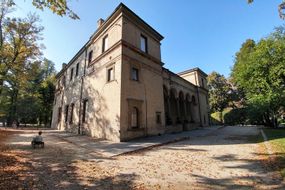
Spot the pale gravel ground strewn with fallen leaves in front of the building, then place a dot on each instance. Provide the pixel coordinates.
(228, 158)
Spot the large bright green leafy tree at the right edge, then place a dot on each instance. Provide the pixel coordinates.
(260, 71)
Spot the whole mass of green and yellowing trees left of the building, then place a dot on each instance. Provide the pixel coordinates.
(26, 81)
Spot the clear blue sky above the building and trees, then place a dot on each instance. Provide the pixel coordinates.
(197, 33)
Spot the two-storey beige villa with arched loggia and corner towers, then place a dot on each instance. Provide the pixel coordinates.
(116, 87)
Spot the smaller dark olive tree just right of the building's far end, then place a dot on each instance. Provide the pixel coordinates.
(219, 92)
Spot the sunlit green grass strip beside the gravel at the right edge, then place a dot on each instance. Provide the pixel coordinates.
(276, 138)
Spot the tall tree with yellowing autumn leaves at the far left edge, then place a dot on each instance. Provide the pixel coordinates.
(19, 51)
